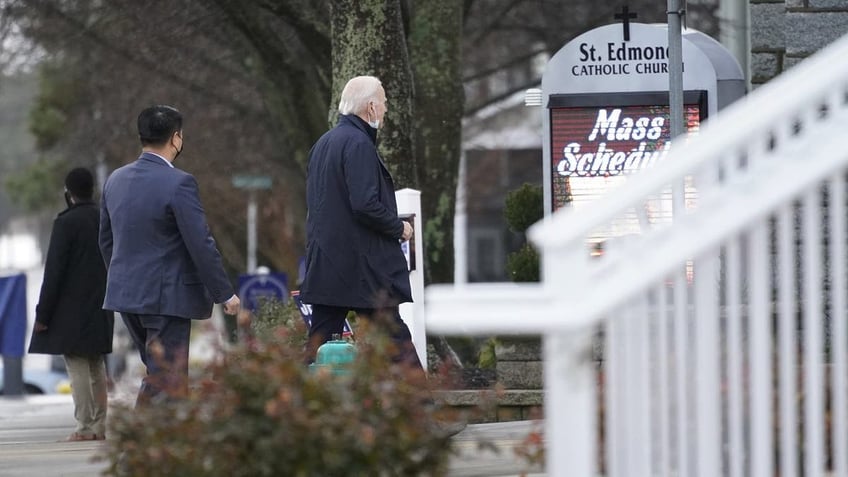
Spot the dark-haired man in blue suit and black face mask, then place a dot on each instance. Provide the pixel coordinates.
(164, 269)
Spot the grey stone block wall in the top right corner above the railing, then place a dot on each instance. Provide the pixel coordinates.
(784, 32)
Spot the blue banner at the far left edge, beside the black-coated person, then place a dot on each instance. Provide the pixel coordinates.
(13, 321)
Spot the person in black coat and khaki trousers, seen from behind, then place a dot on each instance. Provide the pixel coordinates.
(69, 318)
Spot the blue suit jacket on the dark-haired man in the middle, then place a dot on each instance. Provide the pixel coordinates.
(159, 253)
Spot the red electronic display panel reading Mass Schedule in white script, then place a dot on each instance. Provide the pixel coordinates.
(597, 140)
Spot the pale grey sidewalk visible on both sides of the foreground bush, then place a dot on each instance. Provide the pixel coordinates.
(32, 427)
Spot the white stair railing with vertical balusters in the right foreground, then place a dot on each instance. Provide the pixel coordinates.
(724, 338)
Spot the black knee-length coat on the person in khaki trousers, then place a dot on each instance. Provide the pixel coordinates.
(71, 298)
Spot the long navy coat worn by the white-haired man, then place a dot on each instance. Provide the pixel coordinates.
(353, 254)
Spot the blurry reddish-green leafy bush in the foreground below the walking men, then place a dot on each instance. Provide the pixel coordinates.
(259, 411)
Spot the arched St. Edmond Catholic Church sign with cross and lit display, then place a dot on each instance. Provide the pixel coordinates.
(607, 112)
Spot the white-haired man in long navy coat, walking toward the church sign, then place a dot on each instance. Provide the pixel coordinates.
(354, 259)
